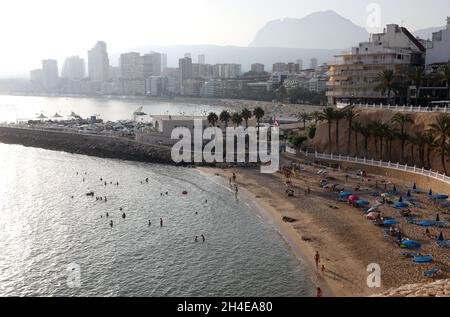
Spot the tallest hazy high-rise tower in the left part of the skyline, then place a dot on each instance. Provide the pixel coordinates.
(98, 63)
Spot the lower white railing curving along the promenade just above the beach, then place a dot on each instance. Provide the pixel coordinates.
(371, 162)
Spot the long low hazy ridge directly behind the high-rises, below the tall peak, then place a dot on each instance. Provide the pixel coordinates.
(236, 54)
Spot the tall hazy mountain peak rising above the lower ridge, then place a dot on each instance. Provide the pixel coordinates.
(320, 30)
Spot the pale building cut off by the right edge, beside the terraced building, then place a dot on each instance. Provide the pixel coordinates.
(438, 50)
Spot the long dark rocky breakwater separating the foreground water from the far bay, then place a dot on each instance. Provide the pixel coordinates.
(87, 144)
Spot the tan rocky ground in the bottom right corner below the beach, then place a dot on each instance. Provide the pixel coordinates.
(435, 289)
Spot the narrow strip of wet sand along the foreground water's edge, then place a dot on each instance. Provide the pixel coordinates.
(271, 217)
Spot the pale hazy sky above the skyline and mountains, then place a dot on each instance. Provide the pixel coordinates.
(32, 30)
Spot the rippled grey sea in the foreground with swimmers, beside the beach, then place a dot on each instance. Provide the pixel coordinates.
(45, 234)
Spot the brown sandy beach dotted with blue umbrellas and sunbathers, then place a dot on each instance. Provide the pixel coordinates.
(346, 240)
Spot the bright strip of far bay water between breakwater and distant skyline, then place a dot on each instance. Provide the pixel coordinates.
(29, 107)
